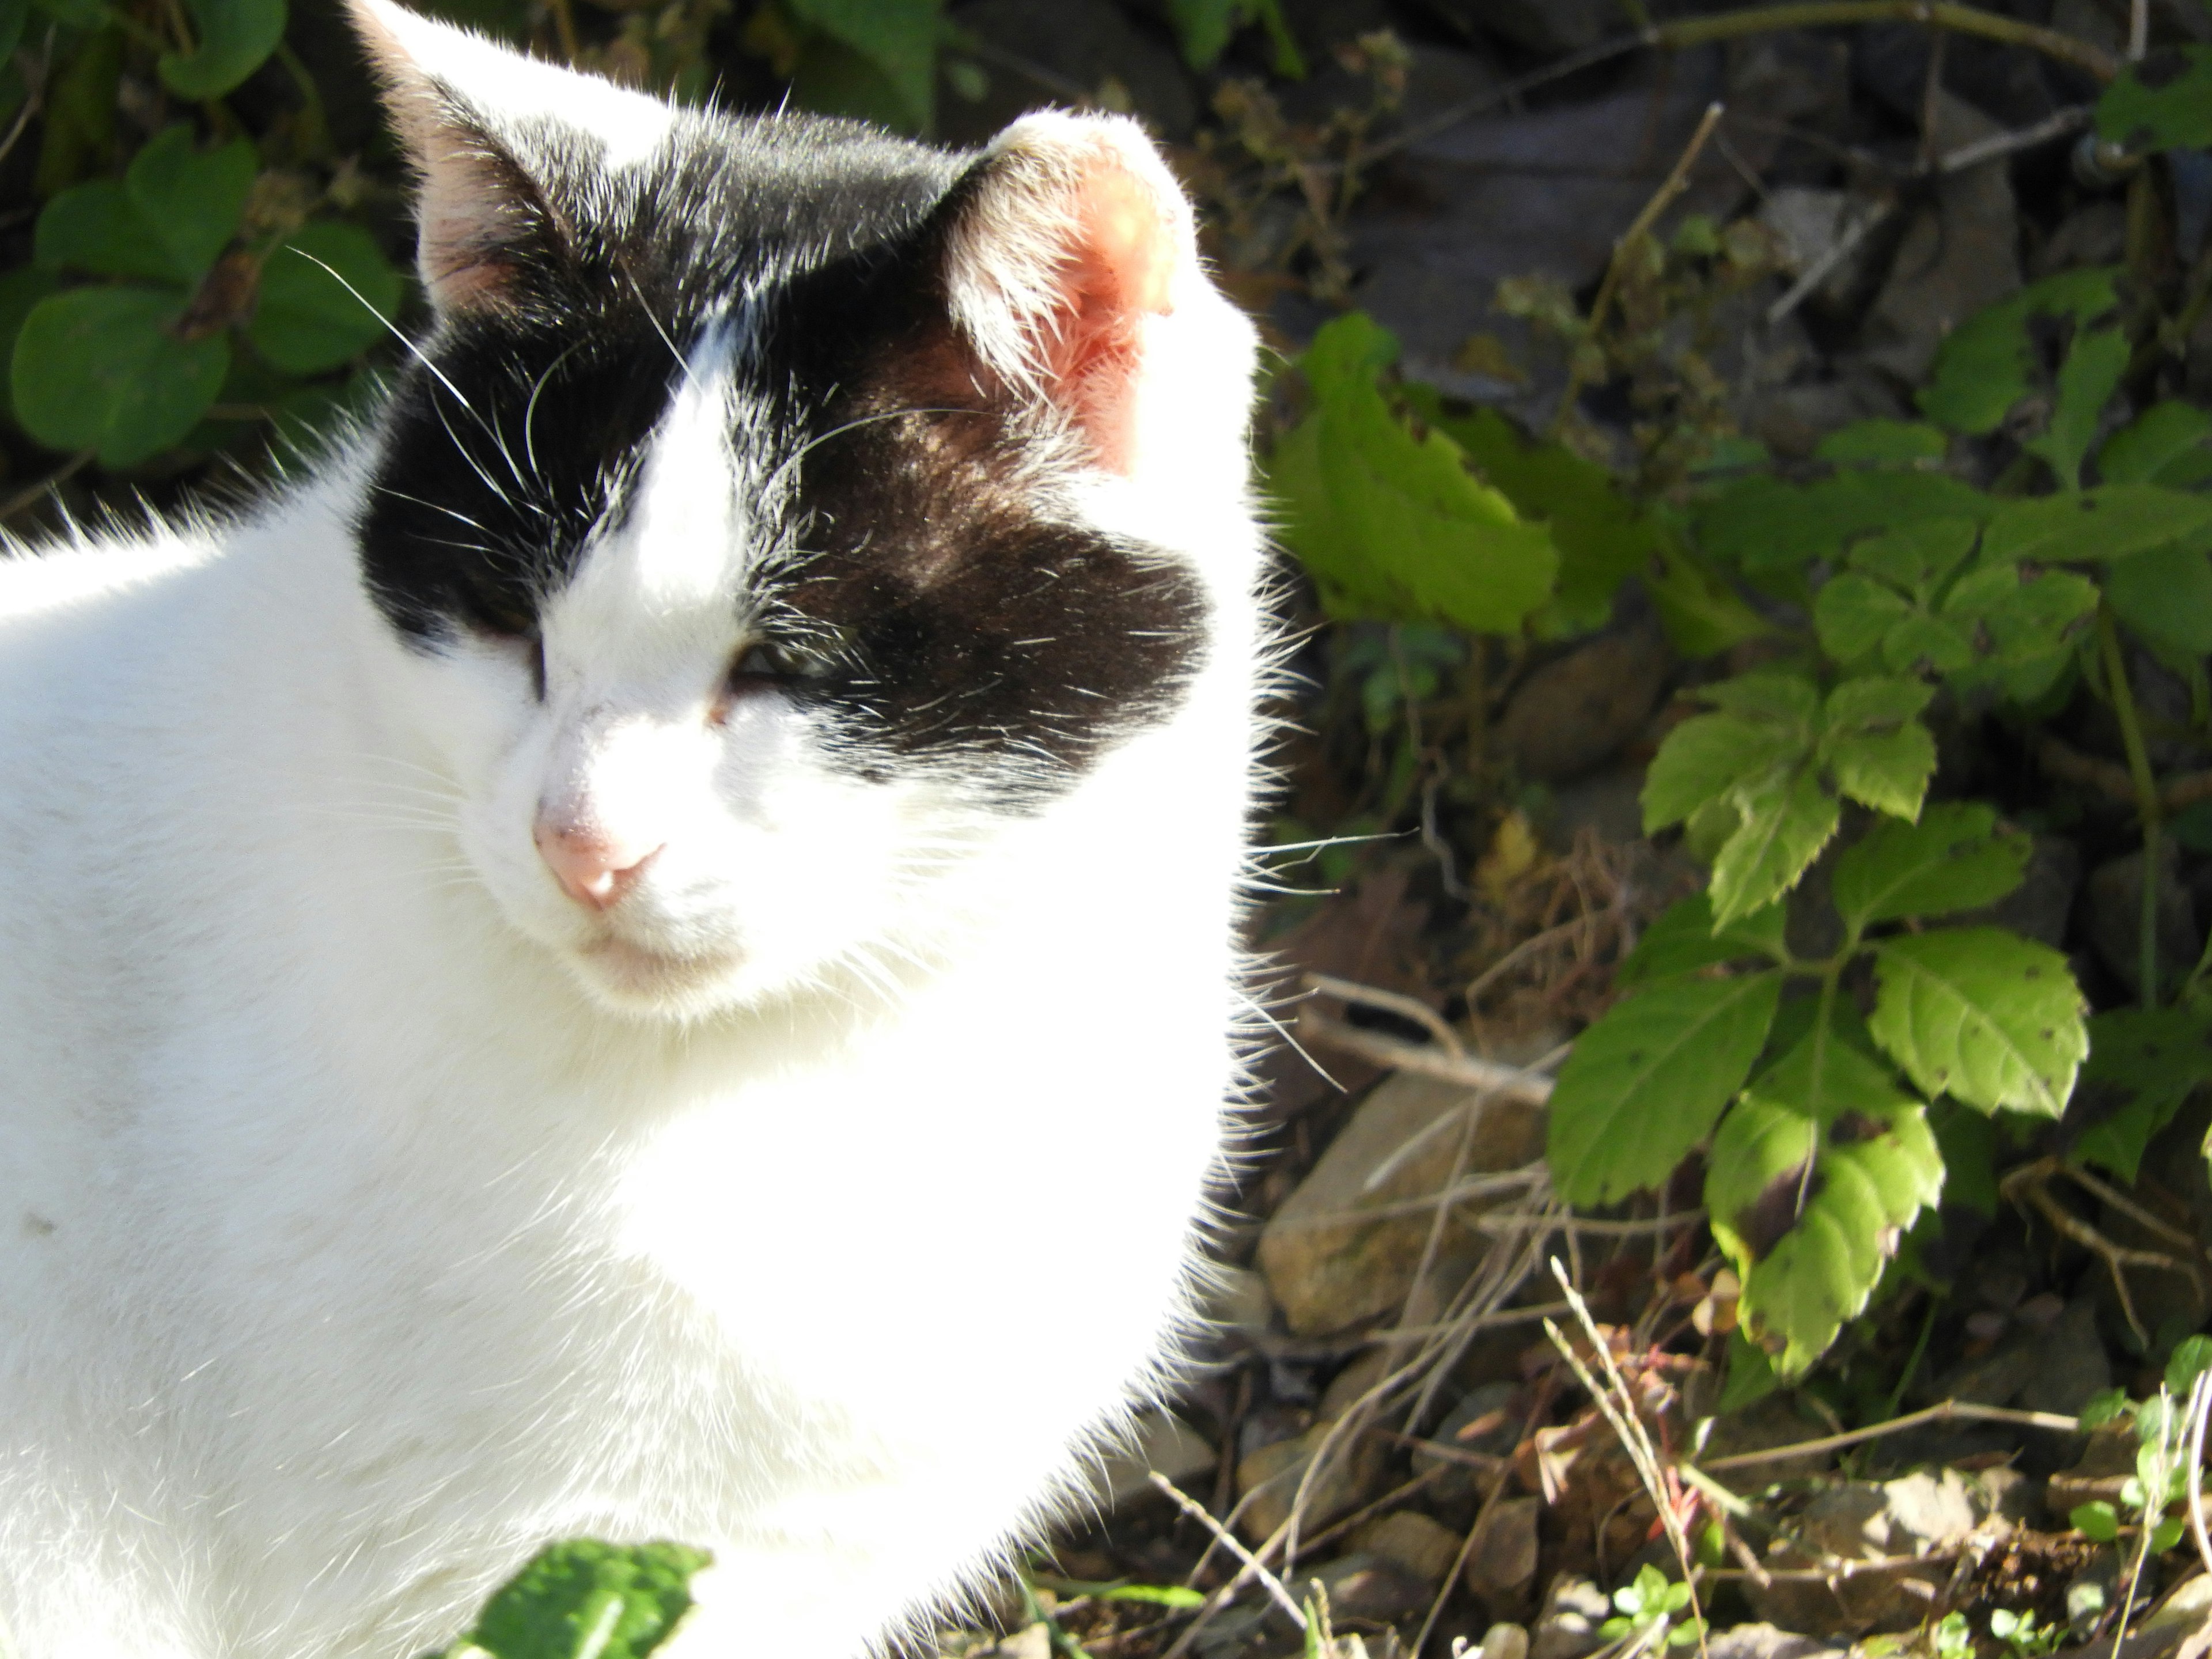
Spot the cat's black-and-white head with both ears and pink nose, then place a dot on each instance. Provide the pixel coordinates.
(780, 514)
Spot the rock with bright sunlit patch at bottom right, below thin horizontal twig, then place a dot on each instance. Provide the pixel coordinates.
(1861, 1521)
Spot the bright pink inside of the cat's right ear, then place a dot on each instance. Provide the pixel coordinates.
(1116, 273)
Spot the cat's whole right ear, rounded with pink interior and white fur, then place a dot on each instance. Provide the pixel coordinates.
(1067, 240)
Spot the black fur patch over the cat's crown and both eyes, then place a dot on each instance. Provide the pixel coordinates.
(952, 614)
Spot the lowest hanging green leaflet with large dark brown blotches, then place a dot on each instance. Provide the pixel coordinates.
(1815, 1178)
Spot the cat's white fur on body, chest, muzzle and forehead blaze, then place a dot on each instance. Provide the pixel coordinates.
(373, 1215)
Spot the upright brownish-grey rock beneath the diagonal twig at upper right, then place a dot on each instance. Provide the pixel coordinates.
(1957, 258)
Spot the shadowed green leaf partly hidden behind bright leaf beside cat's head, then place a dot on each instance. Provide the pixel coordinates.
(1600, 536)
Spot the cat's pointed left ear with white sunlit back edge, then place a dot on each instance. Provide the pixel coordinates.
(492, 134)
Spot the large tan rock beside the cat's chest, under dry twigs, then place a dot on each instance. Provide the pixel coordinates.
(1331, 1269)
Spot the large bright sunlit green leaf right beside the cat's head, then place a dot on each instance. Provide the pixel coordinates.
(1401, 508)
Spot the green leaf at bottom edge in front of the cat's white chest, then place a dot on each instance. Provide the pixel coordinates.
(603, 1600)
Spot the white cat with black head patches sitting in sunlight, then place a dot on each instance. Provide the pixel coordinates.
(649, 948)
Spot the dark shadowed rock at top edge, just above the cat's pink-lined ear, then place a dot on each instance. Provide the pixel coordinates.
(1052, 56)
